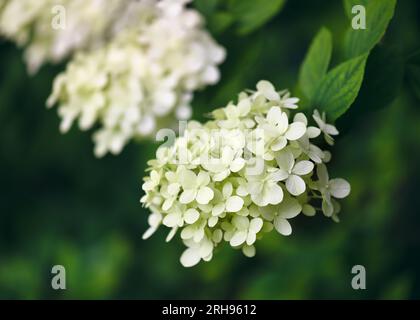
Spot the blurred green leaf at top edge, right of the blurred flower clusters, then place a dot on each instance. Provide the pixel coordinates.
(252, 14)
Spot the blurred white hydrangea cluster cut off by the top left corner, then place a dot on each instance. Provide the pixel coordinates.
(30, 23)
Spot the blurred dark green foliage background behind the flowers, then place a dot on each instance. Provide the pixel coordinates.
(60, 205)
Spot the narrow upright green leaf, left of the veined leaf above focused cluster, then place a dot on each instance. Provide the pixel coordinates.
(316, 62)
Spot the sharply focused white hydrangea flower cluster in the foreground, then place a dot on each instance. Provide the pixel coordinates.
(247, 171)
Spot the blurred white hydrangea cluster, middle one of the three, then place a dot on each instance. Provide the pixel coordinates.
(142, 78)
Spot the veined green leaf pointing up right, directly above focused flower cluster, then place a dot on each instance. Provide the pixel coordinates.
(340, 87)
